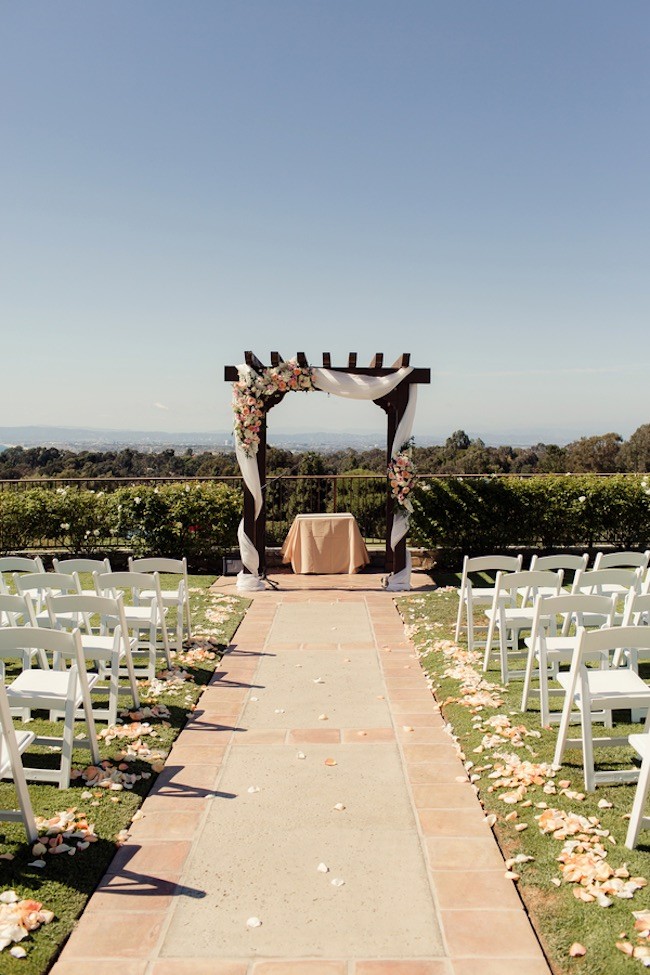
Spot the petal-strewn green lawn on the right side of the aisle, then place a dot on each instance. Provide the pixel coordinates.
(558, 916)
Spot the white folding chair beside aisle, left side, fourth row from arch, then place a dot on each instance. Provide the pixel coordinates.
(59, 690)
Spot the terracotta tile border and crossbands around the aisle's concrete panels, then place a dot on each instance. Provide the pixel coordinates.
(133, 919)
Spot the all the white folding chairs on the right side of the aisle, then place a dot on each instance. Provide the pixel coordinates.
(600, 641)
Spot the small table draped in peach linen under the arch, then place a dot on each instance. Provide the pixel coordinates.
(326, 544)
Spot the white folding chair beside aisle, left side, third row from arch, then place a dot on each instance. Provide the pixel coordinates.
(108, 651)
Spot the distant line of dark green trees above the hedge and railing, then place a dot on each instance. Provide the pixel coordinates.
(607, 453)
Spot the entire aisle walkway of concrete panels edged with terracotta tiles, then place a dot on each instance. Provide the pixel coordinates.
(316, 790)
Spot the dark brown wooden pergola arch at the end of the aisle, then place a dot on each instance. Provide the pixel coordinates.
(394, 405)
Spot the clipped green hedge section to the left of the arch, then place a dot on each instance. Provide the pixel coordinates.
(197, 520)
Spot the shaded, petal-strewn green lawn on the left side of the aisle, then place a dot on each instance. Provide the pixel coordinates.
(66, 881)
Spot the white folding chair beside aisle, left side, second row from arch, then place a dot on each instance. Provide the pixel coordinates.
(150, 618)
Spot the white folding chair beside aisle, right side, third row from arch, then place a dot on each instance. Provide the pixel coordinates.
(547, 648)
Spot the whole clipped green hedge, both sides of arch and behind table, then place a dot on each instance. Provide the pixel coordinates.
(461, 514)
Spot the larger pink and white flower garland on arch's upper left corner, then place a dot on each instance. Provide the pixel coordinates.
(253, 389)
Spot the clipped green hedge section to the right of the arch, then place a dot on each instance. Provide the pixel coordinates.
(492, 513)
